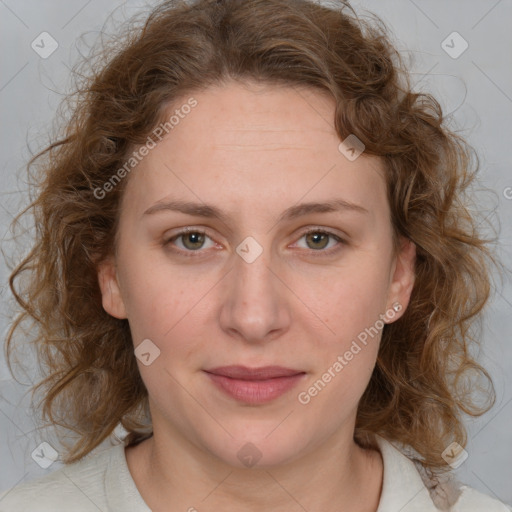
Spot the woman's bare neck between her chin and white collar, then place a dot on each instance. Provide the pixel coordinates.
(339, 473)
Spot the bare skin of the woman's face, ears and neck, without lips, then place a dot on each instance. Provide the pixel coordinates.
(253, 151)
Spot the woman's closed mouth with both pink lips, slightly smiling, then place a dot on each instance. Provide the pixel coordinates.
(254, 385)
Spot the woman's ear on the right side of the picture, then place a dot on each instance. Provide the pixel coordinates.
(403, 277)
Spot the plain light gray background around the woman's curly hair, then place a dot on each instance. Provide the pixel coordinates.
(476, 87)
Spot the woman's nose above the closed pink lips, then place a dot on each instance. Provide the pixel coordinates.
(255, 303)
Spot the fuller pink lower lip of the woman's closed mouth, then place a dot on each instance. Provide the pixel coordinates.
(256, 391)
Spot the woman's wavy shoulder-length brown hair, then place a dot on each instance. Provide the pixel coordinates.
(425, 372)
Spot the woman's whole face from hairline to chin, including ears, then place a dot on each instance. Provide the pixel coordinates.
(261, 323)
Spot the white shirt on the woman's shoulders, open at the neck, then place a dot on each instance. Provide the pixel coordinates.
(101, 481)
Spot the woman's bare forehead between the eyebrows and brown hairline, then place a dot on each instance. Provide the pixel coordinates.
(262, 143)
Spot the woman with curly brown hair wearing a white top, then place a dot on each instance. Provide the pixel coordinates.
(253, 254)
